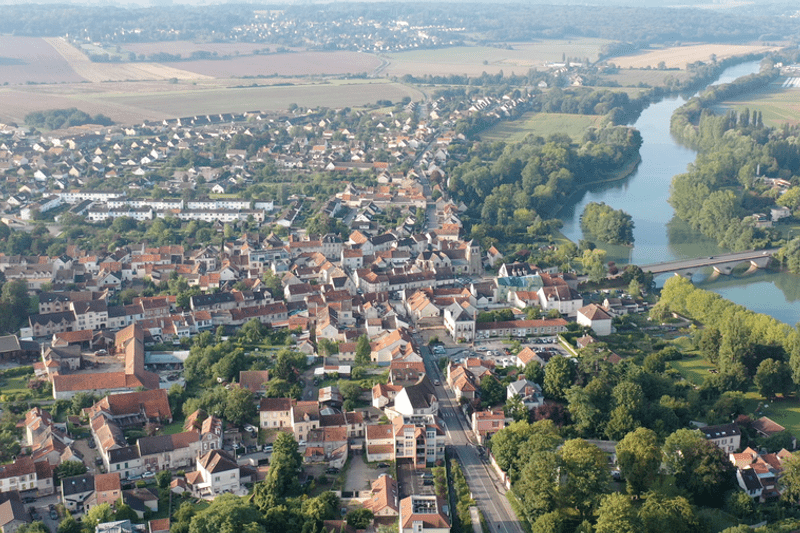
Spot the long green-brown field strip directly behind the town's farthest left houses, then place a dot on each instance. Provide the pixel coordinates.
(132, 102)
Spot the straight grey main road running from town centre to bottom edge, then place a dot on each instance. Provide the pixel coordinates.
(484, 484)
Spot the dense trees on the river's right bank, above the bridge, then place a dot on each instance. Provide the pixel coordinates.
(729, 185)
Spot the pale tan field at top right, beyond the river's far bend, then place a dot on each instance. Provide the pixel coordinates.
(680, 56)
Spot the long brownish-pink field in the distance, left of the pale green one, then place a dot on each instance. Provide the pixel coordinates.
(290, 64)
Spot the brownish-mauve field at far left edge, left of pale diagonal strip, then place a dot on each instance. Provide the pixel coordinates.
(32, 60)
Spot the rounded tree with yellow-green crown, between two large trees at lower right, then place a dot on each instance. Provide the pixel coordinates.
(639, 458)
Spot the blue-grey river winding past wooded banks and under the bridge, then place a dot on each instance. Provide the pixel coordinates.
(658, 234)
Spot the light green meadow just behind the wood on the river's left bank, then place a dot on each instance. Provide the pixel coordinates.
(543, 124)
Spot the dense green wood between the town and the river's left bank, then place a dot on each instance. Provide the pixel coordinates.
(512, 189)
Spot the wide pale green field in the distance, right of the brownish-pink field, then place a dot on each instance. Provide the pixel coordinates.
(474, 60)
